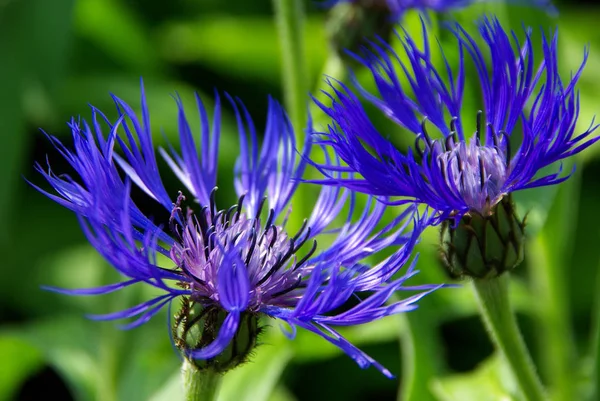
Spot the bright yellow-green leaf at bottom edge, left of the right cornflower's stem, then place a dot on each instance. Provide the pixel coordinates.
(489, 382)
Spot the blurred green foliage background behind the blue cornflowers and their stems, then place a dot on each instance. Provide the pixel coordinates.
(59, 56)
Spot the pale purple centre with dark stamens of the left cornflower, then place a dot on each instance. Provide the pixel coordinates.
(207, 238)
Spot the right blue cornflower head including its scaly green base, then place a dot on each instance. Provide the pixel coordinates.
(526, 124)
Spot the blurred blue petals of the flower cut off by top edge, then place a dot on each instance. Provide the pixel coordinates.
(398, 8)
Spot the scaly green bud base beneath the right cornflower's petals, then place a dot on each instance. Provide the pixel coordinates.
(483, 246)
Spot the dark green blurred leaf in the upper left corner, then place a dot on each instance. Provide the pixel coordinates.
(31, 59)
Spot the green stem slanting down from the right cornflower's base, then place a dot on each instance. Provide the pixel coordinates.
(494, 305)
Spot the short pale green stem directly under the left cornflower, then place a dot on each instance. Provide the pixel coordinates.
(199, 385)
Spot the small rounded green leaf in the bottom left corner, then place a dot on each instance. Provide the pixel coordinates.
(20, 359)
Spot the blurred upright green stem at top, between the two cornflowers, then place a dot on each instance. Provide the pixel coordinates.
(289, 15)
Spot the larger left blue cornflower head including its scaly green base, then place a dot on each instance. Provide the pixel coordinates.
(230, 266)
